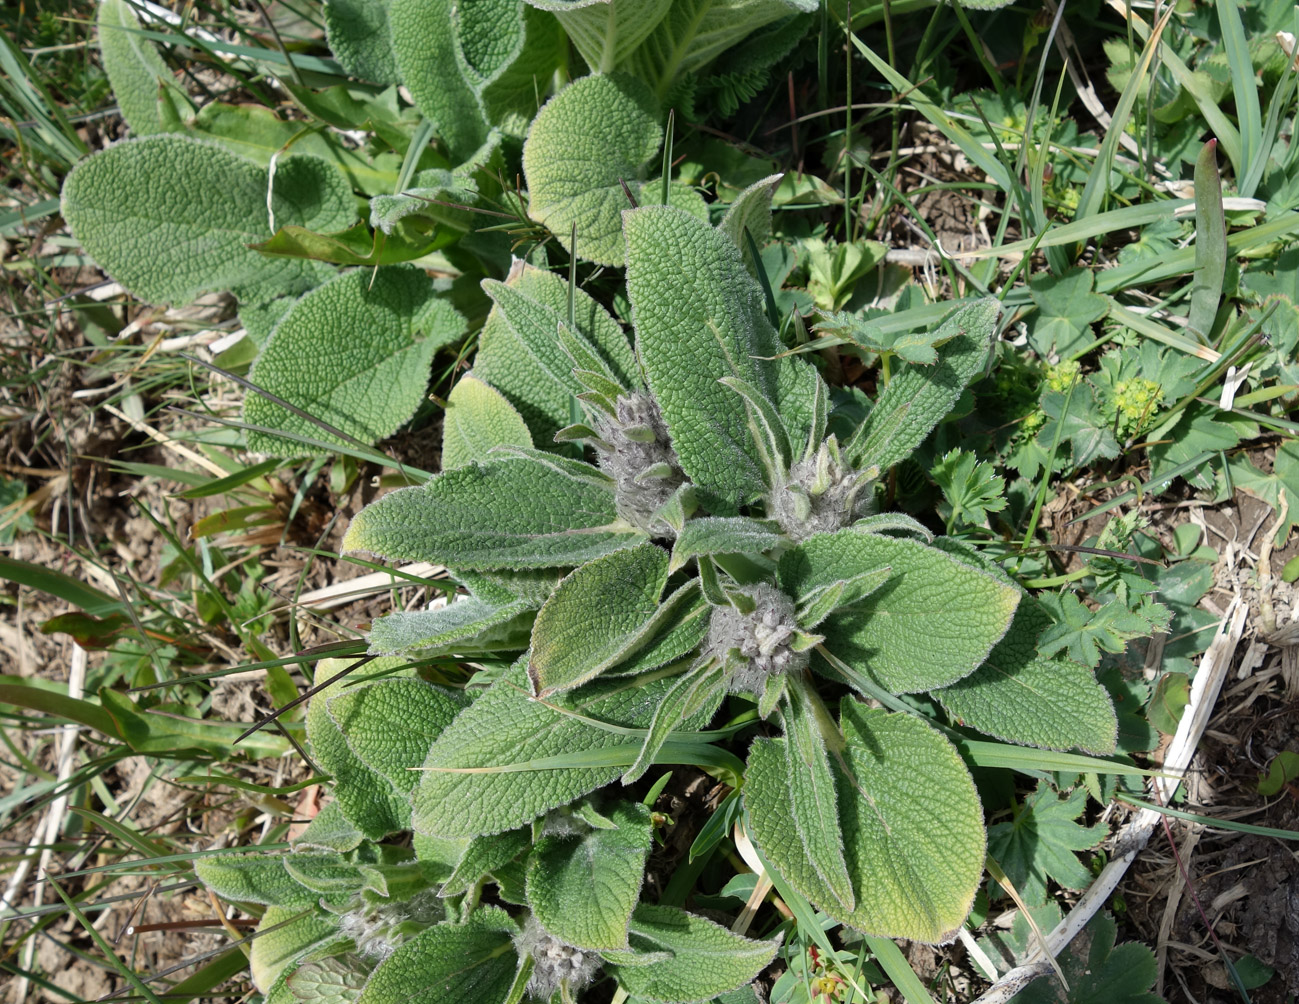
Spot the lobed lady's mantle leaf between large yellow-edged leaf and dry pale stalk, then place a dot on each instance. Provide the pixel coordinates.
(1041, 841)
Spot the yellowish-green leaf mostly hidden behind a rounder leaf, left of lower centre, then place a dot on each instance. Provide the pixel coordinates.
(370, 801)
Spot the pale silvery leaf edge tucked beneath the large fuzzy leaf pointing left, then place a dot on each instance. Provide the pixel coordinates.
(467, 627)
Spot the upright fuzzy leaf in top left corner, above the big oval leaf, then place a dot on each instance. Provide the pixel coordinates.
(142, 84)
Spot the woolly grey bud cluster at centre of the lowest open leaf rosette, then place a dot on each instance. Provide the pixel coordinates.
(757, 645)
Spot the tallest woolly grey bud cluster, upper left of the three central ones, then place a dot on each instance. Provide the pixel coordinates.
(635, 449)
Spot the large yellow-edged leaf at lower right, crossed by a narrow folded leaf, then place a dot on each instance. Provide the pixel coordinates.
(911, 819)
